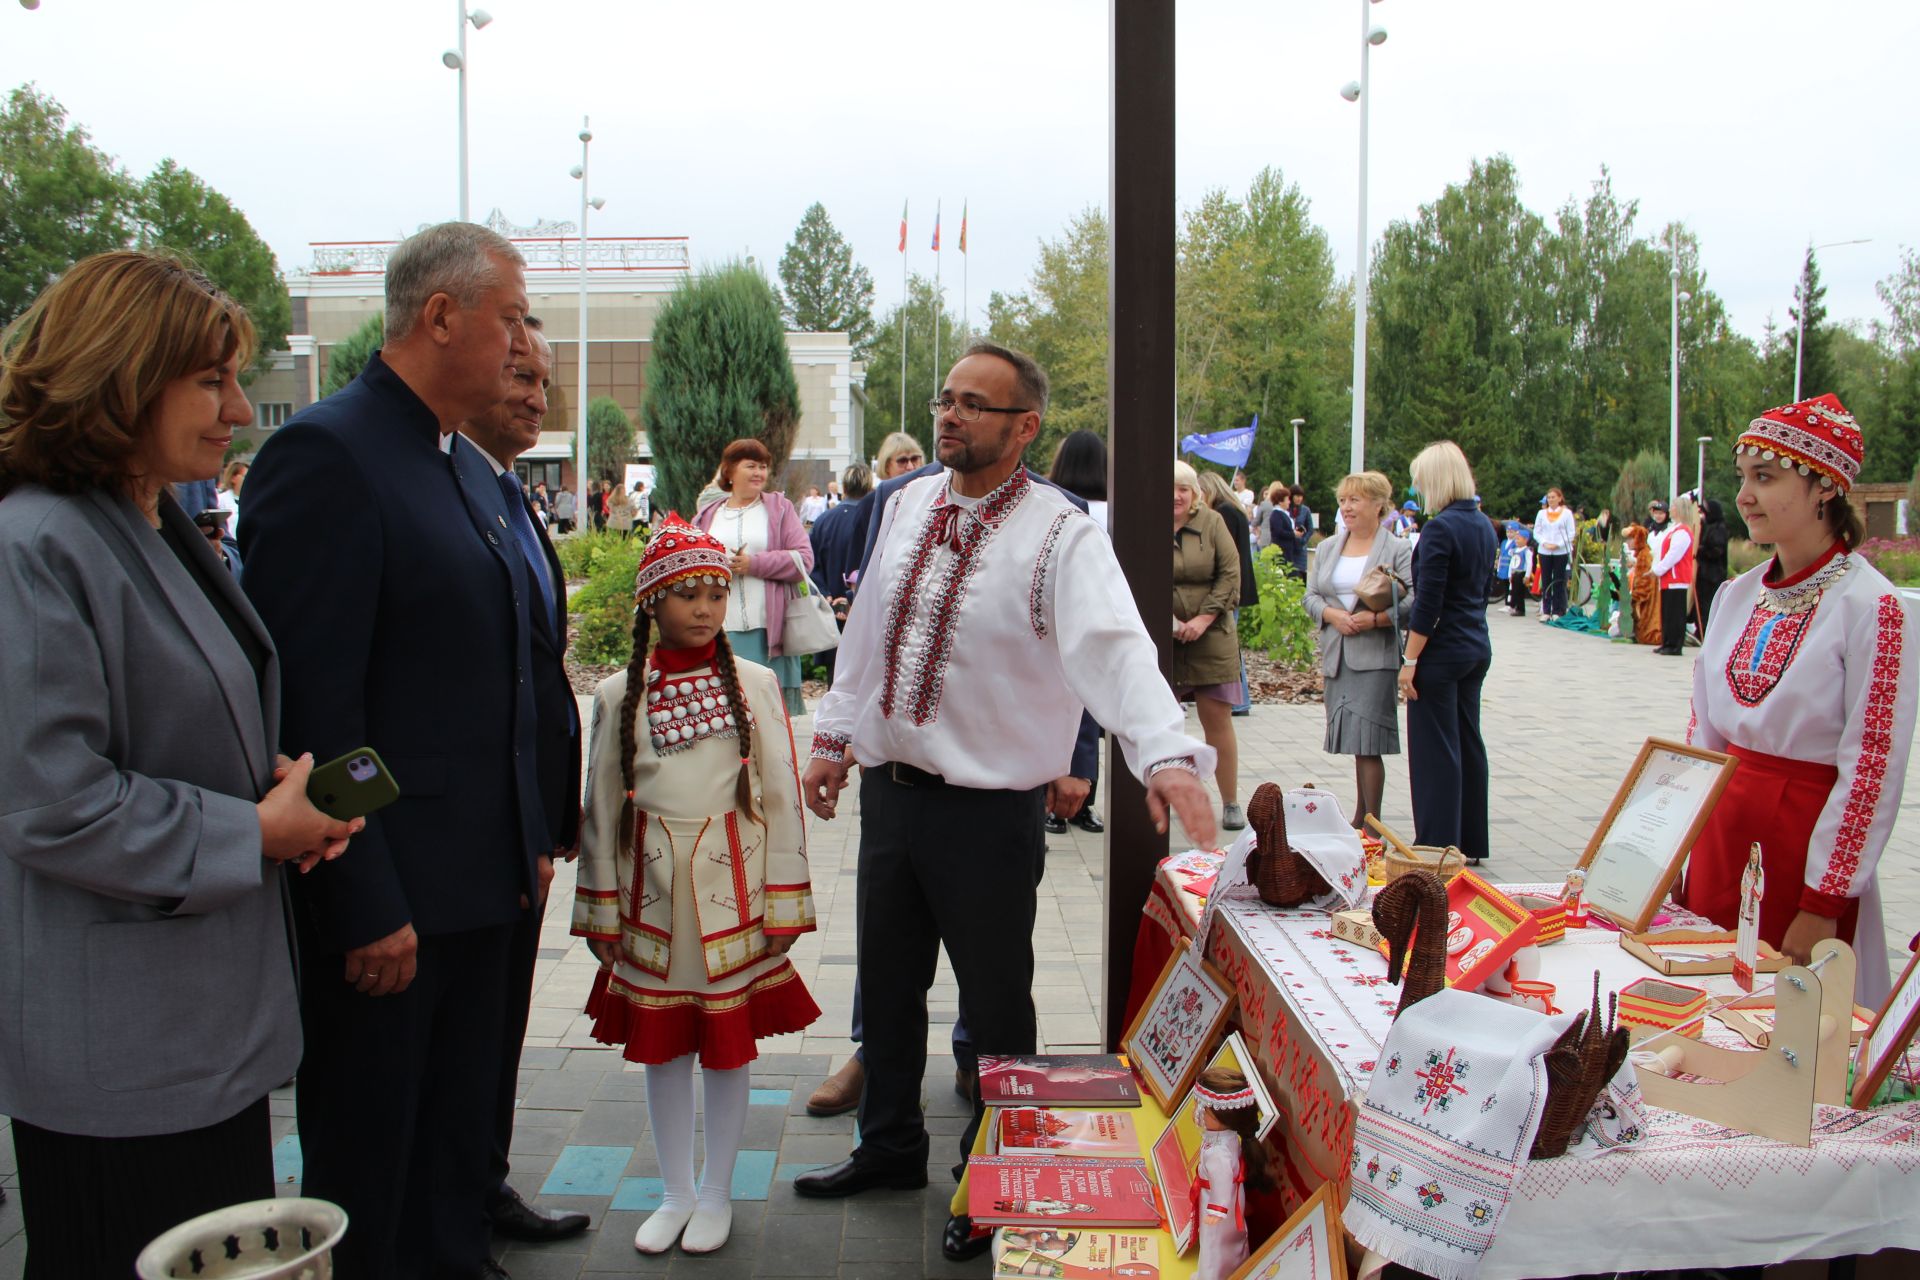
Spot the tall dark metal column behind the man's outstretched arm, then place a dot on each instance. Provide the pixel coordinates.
(1141, 437)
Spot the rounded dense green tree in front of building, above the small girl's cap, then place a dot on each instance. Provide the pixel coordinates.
(719, 373)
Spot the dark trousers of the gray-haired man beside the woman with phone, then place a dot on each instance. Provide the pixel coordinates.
(398, 1101)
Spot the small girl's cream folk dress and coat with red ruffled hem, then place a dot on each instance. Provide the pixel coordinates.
(686, 884)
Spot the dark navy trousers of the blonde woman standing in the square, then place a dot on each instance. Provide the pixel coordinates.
(1447, 757)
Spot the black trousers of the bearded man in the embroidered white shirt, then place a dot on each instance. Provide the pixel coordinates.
(957, 866)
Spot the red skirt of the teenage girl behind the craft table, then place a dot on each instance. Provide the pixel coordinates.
(1775, 801)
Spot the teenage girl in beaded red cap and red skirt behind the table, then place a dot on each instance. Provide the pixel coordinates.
(1808, 676)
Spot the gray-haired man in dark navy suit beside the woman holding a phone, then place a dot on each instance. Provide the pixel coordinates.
(385, 567)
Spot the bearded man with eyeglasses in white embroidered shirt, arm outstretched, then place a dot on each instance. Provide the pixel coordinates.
(990, 617)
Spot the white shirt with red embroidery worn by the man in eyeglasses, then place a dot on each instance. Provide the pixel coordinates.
(982, 632)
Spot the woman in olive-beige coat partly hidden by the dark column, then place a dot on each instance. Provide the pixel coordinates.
(1207, 650)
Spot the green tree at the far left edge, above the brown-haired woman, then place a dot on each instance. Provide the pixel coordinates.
(60, 199)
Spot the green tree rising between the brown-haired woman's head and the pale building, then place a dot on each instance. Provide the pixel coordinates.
(178, 212)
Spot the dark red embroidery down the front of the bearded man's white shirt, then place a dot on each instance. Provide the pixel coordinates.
(946, 598)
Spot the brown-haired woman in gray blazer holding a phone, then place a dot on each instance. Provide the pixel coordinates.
(141, 824)
